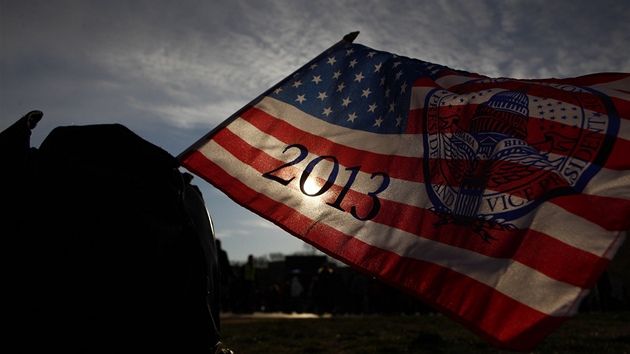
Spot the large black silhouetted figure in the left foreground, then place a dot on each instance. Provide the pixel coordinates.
(105, 246)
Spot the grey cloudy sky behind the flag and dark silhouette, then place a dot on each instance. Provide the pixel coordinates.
(171, 71)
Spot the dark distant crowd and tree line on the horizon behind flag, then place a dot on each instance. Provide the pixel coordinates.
(330, 289)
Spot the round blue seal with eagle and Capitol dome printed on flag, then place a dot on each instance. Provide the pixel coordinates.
(495, 154)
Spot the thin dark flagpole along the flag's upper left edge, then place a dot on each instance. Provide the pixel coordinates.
(349, 38)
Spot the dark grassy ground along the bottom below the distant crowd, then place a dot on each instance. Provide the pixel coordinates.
(586, 333)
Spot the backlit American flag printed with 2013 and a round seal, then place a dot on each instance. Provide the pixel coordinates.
(498, 201)
